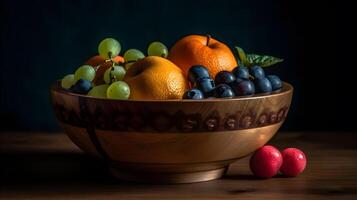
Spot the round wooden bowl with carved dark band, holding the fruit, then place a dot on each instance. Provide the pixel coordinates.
(170, 141)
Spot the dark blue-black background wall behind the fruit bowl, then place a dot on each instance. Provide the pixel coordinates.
(42, 41)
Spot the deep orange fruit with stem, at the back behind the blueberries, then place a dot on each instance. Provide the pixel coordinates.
(202, 50)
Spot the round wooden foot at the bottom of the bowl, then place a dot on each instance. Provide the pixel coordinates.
(187, 177)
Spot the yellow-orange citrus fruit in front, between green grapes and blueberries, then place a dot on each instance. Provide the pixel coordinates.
(155, 78)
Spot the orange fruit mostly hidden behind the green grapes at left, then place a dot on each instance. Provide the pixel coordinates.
(97, 60)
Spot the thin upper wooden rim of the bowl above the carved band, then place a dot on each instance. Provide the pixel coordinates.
(287, 88)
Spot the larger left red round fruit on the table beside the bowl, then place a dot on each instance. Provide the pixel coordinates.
(266, 162)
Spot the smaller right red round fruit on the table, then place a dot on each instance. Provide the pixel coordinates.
(294, 162)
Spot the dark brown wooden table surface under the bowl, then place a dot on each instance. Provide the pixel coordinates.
(49, 166)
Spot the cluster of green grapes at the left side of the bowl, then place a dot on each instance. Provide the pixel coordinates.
(81, 82)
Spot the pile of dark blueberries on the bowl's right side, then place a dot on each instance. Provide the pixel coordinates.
(242, 81)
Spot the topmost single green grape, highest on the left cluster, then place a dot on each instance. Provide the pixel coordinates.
(109, 48)
